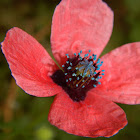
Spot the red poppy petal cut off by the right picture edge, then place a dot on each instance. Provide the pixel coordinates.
(121, 82)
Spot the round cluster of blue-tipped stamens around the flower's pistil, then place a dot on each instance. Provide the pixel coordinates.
(82, 72)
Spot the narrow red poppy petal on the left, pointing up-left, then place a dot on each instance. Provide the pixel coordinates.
(29, 62)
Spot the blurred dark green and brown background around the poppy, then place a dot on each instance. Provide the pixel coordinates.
(23, 116)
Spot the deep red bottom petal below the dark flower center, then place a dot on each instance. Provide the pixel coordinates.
(93, 117)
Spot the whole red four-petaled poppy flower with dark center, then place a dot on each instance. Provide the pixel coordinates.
(86, 86)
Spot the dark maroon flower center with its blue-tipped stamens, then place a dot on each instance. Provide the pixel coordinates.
(79, 75)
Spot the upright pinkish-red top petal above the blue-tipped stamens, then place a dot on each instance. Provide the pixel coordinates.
(79, 26)
